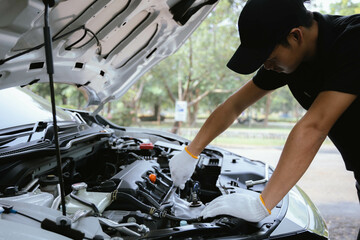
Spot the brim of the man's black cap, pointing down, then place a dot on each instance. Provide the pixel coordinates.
(246, 61)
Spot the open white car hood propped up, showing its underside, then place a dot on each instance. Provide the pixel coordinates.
(102, 47)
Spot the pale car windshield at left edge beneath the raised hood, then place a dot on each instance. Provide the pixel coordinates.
(21, 106)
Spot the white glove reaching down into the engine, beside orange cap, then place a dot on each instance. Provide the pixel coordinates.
(182, 166)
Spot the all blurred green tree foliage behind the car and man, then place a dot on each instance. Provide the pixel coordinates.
(199, 63)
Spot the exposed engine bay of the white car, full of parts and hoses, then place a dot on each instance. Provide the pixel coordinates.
(122, 183)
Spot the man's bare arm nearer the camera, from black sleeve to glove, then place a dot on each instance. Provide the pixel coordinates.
(303, 143)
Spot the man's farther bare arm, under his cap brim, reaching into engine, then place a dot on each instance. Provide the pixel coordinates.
(225, 114)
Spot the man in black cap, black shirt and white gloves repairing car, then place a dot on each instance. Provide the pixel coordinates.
(318, 57)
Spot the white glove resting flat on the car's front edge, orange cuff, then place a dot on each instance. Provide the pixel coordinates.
(249, 207)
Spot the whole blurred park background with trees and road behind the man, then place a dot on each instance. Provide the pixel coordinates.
(197, 76)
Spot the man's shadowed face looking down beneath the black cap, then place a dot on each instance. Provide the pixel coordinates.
(284, 59)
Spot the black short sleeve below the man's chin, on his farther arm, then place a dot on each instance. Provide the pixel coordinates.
(269, 80)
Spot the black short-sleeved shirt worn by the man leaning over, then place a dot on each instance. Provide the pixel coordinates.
(336, 67)
